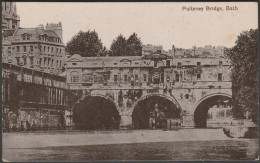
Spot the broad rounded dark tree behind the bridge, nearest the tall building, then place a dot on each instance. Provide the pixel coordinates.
(86, 44)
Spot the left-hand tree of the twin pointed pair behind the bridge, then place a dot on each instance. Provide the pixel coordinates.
(118, 46)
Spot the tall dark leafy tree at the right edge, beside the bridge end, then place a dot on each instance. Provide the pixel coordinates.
(245, 74)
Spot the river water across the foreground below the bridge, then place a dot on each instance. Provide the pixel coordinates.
(155, 148)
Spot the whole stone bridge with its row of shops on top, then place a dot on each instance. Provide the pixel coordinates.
(188, 81)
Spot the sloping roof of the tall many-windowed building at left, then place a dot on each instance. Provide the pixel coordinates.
(35, 31)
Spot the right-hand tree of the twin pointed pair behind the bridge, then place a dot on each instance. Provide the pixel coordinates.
(134, 45)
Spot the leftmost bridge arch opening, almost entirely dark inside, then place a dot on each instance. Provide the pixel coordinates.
(96, 112)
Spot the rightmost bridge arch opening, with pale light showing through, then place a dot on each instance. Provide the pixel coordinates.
(214, 109)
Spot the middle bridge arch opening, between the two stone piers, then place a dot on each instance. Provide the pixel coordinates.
(156, 111)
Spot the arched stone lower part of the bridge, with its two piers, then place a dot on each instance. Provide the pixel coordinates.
(187, 100)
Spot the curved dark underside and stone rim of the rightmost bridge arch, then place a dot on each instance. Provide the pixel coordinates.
(202, 107)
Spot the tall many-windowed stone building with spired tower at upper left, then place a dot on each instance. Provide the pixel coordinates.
(39, 48)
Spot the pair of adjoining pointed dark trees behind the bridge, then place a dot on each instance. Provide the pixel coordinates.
(130, 47)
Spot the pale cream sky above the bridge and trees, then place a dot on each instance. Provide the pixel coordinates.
(157, 23)
